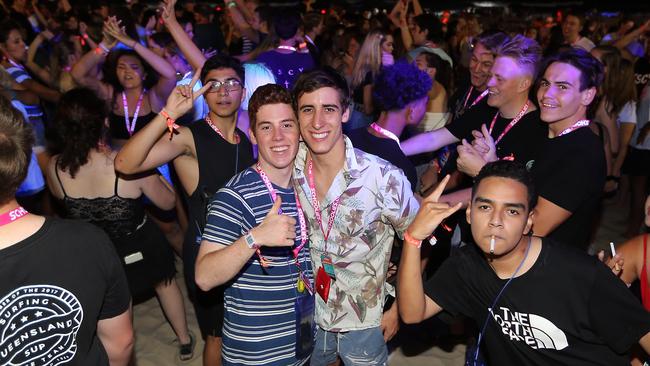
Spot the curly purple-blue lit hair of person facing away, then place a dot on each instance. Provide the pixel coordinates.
(400, 84)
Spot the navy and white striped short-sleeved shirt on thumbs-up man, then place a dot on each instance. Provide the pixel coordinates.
(259, 317)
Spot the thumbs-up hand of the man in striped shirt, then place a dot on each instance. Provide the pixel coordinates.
(277, 230)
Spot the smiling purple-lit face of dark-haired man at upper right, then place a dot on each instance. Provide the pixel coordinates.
(559, 96)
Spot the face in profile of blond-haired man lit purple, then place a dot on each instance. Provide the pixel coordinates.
(507, 81)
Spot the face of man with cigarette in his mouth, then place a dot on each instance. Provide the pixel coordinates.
(499, 209)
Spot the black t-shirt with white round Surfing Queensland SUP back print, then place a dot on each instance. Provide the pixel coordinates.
(54, 288)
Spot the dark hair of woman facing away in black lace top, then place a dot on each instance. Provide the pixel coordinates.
(79, 123)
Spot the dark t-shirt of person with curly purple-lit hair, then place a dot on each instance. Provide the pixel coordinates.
(386, 149)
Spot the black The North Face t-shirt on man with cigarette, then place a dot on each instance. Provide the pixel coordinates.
(567, 309)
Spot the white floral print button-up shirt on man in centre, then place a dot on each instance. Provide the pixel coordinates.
(376, 202)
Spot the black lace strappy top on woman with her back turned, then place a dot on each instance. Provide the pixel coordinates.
(118, 216)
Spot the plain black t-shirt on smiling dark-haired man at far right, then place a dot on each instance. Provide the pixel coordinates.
(571, 174)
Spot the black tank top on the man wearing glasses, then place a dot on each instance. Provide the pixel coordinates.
(218, 161)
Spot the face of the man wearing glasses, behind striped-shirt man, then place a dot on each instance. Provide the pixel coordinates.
(224, 101)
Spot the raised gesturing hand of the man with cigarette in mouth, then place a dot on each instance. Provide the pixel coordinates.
(431, 213)
